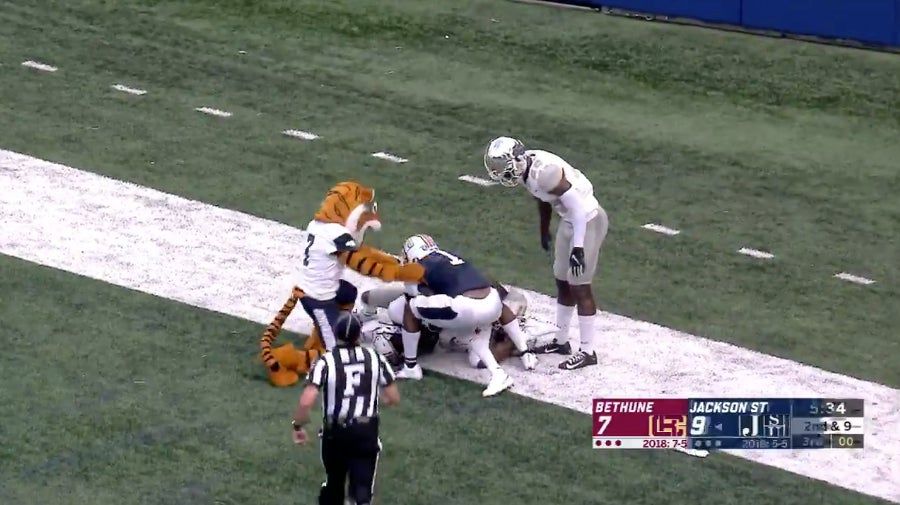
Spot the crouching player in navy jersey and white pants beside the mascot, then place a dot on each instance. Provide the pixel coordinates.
(455, 296)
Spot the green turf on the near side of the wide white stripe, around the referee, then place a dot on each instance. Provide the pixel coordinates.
(202, 425)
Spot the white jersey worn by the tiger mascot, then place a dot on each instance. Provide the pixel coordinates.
(320, 270)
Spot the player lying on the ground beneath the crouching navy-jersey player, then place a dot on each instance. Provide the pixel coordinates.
(383, 330)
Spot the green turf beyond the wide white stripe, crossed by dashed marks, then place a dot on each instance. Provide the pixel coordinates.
(736, 140)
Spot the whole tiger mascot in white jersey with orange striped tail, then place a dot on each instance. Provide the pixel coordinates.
(334, 241)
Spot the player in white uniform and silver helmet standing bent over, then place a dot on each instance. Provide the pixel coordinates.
(557, 185)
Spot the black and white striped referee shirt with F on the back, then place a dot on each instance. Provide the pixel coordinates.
(350, 379)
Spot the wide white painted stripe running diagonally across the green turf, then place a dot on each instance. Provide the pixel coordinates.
(241, 265)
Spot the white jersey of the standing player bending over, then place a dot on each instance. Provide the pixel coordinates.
(544, 175)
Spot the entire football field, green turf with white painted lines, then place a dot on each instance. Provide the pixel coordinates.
(130, 375)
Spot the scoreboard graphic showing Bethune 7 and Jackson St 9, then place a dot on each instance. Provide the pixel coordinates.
(728, 423)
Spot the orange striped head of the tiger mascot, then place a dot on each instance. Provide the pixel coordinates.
(353, 205)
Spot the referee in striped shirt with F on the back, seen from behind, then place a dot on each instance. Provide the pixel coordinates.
(350, 377)
